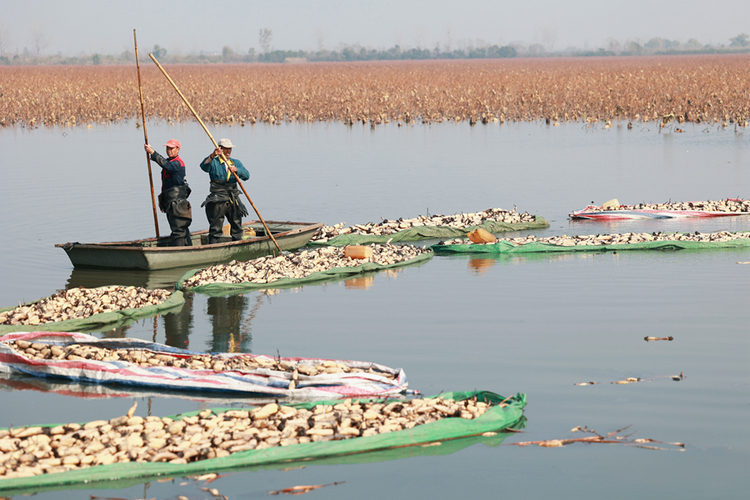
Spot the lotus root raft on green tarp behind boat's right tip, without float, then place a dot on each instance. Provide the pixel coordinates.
(494, 220)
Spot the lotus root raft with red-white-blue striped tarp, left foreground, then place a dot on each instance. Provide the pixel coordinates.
(133, 362)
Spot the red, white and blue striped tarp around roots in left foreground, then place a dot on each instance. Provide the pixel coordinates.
(258, 382)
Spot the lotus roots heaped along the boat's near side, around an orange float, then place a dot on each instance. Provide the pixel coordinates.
(298, 265)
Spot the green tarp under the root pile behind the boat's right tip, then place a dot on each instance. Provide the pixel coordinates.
(427, 233)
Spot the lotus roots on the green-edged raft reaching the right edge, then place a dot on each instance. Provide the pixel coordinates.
(615, 239)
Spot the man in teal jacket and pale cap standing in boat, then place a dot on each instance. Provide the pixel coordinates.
(224, 198)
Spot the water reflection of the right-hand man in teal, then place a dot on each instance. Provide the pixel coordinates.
(229, 334)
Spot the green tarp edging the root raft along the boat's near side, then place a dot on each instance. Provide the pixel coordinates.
(336, 273)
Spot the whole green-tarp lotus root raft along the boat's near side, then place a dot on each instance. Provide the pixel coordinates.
(307, 266)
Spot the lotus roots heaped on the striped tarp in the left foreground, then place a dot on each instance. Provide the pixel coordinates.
(147, 358)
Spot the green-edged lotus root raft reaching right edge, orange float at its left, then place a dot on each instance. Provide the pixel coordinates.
(600, 243)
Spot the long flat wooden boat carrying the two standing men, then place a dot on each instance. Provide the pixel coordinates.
(154, 253)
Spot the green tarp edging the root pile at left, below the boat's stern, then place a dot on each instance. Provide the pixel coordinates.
(103, 321)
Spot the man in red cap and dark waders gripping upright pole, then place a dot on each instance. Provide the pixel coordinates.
(174, 193)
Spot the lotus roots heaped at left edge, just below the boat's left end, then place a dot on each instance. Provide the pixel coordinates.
(79, 303)
